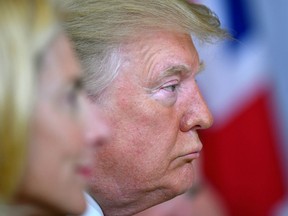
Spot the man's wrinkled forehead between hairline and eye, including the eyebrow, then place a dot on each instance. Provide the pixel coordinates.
(161, 55)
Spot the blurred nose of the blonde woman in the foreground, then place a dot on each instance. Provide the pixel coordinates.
(96, 130)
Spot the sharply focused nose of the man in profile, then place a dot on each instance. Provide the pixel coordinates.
(197, 116)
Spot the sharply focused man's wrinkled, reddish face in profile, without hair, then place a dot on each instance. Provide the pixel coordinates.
(154, 108)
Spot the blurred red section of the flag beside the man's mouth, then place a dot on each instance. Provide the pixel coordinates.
(242, 162)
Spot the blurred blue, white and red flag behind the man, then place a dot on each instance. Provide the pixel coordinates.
(241, 150)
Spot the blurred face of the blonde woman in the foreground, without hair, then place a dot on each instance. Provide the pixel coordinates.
(58, 162)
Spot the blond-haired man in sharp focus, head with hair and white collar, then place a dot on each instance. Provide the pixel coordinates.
(140, 66)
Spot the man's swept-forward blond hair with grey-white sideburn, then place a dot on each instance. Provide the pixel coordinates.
(98, 27)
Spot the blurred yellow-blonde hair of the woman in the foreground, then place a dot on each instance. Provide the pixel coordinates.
(26, 28)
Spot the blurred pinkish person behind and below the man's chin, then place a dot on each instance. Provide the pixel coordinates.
(200, 200)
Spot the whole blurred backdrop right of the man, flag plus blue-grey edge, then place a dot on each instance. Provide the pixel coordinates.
(246, 86)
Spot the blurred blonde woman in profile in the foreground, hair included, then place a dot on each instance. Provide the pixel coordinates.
(44, 159)
